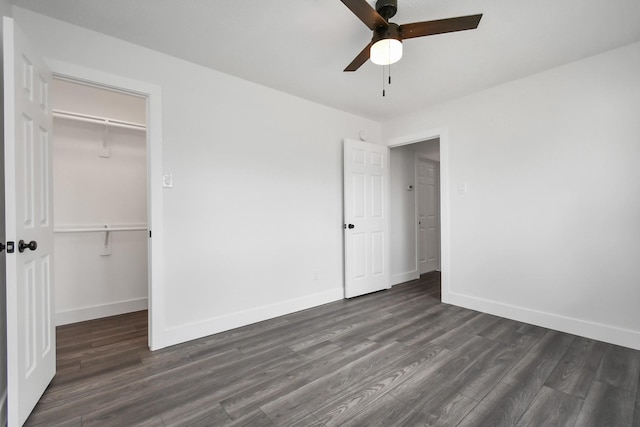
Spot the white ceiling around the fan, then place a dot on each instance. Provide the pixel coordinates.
(302, 46)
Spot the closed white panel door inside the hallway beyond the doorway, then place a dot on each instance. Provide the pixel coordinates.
(428, 207)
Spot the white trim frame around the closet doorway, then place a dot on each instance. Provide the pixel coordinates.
(155, 215)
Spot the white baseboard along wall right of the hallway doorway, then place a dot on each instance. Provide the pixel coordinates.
(583, 328)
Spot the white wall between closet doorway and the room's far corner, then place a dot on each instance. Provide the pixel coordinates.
(255, 215)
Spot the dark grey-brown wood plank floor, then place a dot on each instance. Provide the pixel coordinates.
(393, 358)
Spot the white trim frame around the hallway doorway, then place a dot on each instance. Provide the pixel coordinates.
(445, 220)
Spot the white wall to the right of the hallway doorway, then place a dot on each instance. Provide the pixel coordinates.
(548, 231)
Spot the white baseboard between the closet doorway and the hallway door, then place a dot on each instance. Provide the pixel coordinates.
(191, 331)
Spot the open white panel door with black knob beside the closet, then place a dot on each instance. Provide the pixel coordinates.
(31, 356)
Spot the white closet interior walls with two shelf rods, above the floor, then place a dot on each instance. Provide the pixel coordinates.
(101, 203)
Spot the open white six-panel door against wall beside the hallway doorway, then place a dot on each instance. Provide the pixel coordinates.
(366, 217)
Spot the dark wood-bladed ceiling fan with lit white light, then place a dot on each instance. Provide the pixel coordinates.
(386, 45)
